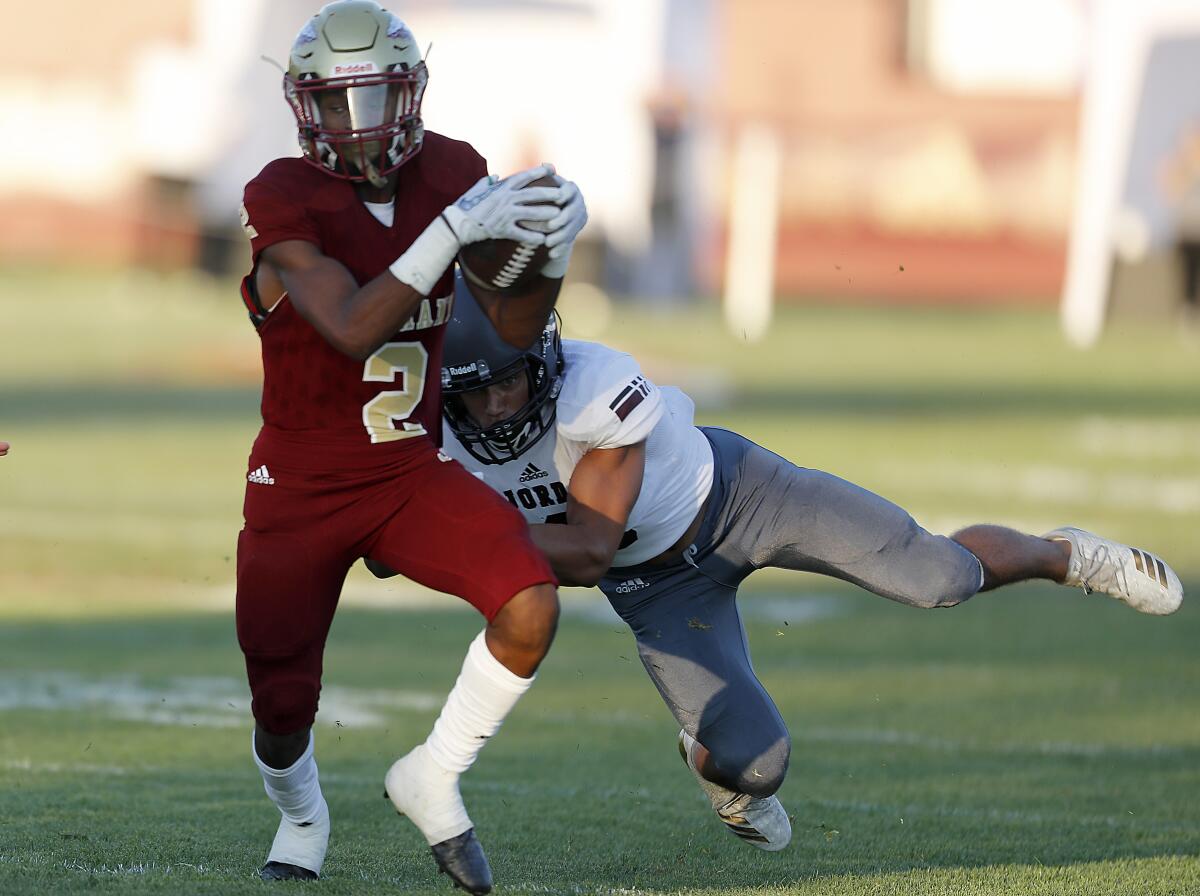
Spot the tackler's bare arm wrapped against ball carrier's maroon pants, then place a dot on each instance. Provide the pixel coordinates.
(602, 496)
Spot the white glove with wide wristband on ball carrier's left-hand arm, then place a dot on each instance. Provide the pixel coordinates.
(491, 211)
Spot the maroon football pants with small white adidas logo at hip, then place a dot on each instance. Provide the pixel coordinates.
(428, 519)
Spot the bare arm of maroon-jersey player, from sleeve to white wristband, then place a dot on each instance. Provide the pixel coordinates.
(356, 321)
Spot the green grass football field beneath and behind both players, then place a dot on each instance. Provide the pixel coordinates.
(1031, 742)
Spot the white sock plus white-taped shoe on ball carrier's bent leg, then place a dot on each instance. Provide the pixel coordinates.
(424, 785)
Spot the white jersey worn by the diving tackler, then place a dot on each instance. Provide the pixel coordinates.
(608, 404)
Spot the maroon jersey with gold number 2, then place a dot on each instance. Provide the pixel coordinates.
(310, 389)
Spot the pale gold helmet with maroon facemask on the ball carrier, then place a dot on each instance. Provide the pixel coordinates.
(355, 82)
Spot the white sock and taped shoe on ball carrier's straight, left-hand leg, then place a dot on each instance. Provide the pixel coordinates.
(303, 837)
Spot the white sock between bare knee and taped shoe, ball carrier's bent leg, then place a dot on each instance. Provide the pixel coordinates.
(481, 700)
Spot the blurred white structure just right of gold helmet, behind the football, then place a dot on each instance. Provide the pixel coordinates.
(559, 81)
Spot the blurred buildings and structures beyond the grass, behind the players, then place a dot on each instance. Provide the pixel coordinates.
(938, 136)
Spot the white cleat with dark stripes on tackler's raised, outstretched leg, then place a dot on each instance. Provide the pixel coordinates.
(1132, 575)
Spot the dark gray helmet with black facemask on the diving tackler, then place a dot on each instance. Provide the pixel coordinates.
(475, 357)
